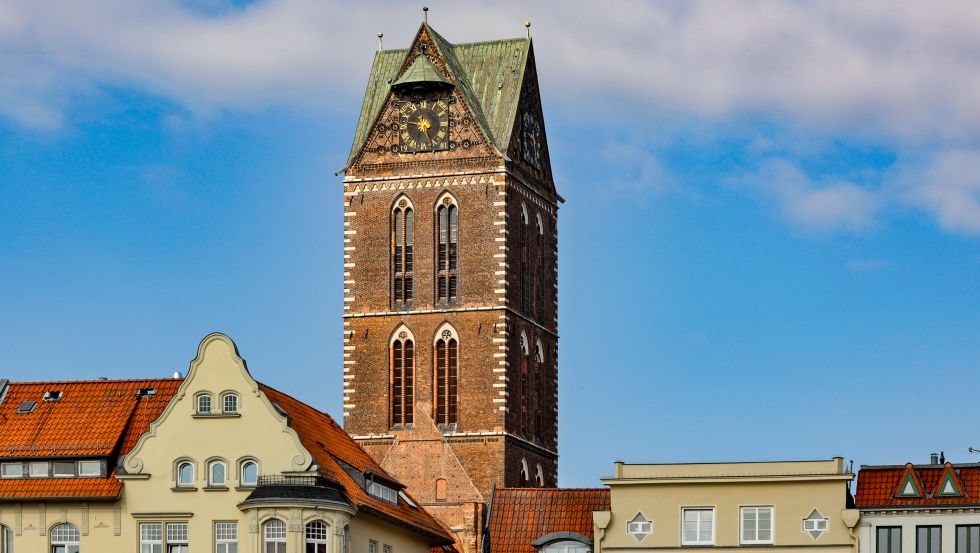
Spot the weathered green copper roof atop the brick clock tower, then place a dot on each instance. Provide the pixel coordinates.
(489, 76)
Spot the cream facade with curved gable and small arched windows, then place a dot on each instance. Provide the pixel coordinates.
(255, 432)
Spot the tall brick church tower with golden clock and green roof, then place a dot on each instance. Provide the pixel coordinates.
(450, 276)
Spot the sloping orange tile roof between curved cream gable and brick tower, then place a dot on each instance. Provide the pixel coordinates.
(327, 442)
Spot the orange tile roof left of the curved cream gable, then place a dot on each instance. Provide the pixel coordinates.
(93, 419)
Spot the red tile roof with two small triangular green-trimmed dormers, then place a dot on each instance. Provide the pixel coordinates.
(877, 485)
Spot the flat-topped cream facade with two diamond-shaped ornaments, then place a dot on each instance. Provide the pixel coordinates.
(749, 506)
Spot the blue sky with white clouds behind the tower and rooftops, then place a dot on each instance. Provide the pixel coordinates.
(770, 247)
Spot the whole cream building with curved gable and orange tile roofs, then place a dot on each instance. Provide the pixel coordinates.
(227, 465)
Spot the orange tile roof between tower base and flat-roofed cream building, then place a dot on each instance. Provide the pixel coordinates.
(518, 516)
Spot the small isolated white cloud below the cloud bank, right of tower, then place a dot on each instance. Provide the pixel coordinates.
(813, 205)
